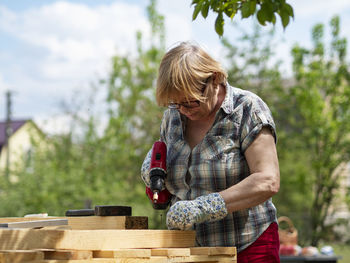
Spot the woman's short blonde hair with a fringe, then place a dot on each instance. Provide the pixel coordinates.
(184, 71)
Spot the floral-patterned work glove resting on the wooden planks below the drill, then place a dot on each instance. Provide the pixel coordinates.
(184, 214)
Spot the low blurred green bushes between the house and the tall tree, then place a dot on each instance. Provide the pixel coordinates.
(67, 172)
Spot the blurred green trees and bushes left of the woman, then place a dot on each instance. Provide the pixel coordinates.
(74, 172)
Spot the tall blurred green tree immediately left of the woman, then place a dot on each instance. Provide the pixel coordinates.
(134, 117)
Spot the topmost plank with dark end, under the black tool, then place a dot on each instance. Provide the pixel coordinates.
(93, 222)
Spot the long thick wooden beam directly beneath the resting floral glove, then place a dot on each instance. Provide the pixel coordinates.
(94, 239)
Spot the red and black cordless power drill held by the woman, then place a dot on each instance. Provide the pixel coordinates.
(160, 198)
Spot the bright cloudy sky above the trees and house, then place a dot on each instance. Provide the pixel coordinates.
(53, 51)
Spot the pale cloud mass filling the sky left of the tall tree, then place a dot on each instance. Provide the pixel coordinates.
(61, 47)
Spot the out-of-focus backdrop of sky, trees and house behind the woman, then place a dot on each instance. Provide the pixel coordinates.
(78, 113)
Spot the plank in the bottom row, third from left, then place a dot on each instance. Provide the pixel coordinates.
(123, 253)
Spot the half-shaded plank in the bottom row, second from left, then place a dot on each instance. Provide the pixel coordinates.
(66, 254)
